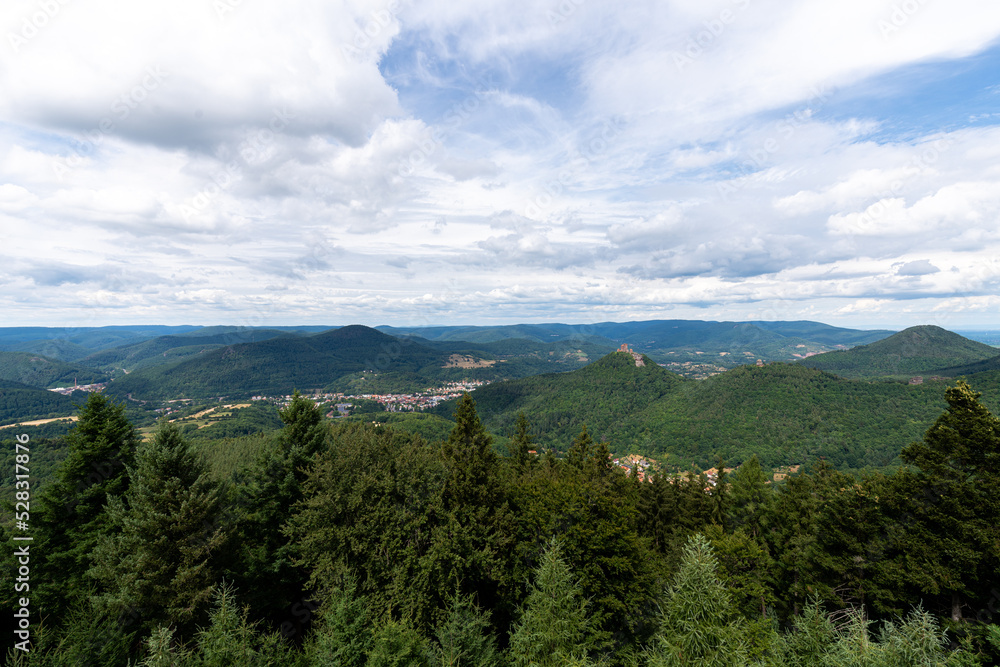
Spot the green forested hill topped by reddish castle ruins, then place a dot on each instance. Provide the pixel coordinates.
(785, 413)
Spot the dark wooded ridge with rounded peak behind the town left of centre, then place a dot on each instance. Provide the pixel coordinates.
(353, 359)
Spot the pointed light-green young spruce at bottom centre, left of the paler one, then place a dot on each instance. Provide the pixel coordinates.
(554, 624)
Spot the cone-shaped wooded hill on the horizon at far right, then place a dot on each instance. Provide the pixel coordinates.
(921, 350)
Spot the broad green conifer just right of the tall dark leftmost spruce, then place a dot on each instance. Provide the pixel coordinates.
(159, 561)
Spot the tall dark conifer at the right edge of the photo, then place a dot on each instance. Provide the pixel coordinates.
(944, 546)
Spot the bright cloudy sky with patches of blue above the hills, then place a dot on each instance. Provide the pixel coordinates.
(420, 162)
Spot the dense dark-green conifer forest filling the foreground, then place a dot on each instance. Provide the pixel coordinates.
(354, 544)
